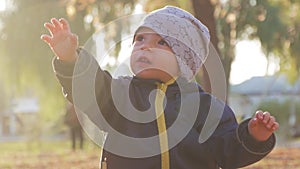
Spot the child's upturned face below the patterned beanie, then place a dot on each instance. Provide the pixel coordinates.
(151, 57)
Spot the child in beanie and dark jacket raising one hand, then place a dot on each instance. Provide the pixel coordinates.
(168, 50)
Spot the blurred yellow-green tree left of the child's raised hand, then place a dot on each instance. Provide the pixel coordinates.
(25, 59)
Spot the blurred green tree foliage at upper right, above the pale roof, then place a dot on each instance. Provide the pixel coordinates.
(274, 23)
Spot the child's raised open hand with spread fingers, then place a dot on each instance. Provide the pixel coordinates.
(61, 40)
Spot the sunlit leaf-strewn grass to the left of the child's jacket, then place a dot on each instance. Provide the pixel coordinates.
(48, 155)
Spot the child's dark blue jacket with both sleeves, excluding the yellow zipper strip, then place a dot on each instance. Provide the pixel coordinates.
(202, 131)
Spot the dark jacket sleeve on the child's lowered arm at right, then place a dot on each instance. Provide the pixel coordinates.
(231, 144)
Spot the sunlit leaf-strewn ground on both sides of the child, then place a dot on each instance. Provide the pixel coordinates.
(58, 155)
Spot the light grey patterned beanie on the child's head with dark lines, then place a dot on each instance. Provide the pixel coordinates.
(186, 36)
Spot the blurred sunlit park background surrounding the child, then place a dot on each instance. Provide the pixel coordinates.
(257, 41)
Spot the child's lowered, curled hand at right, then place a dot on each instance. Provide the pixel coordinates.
(262, 125)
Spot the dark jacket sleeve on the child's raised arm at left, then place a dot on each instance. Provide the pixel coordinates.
(86, 85)
